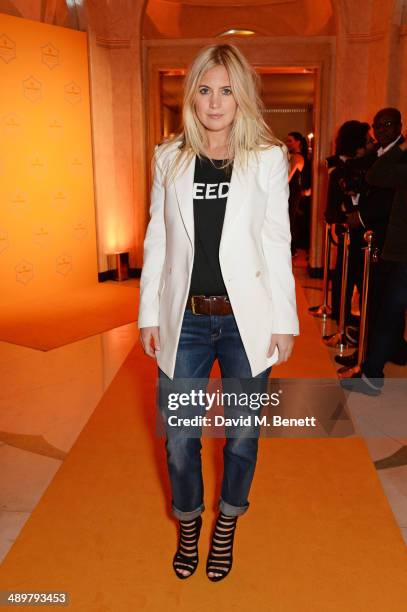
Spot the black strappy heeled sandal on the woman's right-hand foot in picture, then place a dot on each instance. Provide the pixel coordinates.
(220, 556)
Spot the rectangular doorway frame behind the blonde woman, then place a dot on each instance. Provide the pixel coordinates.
(316, 54)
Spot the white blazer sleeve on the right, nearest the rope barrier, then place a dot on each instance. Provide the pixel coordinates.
(277, 247)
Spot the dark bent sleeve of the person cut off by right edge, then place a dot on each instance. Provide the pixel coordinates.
(389, 170)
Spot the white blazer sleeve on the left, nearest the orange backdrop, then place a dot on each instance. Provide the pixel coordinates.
(154, 252)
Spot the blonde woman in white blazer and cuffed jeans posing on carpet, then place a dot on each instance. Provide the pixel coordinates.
(217, 280)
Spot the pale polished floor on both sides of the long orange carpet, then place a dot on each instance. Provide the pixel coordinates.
(62, 387)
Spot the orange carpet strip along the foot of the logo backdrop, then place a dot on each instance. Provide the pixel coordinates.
(59, 320)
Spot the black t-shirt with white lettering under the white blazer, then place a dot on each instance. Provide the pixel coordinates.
(211, 188)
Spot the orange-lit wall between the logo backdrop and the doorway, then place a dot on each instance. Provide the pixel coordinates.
(118, 127)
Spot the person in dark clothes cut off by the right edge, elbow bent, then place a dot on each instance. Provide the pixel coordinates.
(388, 172)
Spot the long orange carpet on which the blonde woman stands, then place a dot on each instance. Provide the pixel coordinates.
(319, 535)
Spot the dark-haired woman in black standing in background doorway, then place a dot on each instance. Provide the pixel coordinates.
(298, 150)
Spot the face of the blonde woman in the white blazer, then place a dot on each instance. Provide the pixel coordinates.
(215, 104)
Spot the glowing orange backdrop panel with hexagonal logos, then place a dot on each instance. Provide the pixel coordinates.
(47, 215)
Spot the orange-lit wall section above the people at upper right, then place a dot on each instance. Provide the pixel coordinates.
(371, 53)
